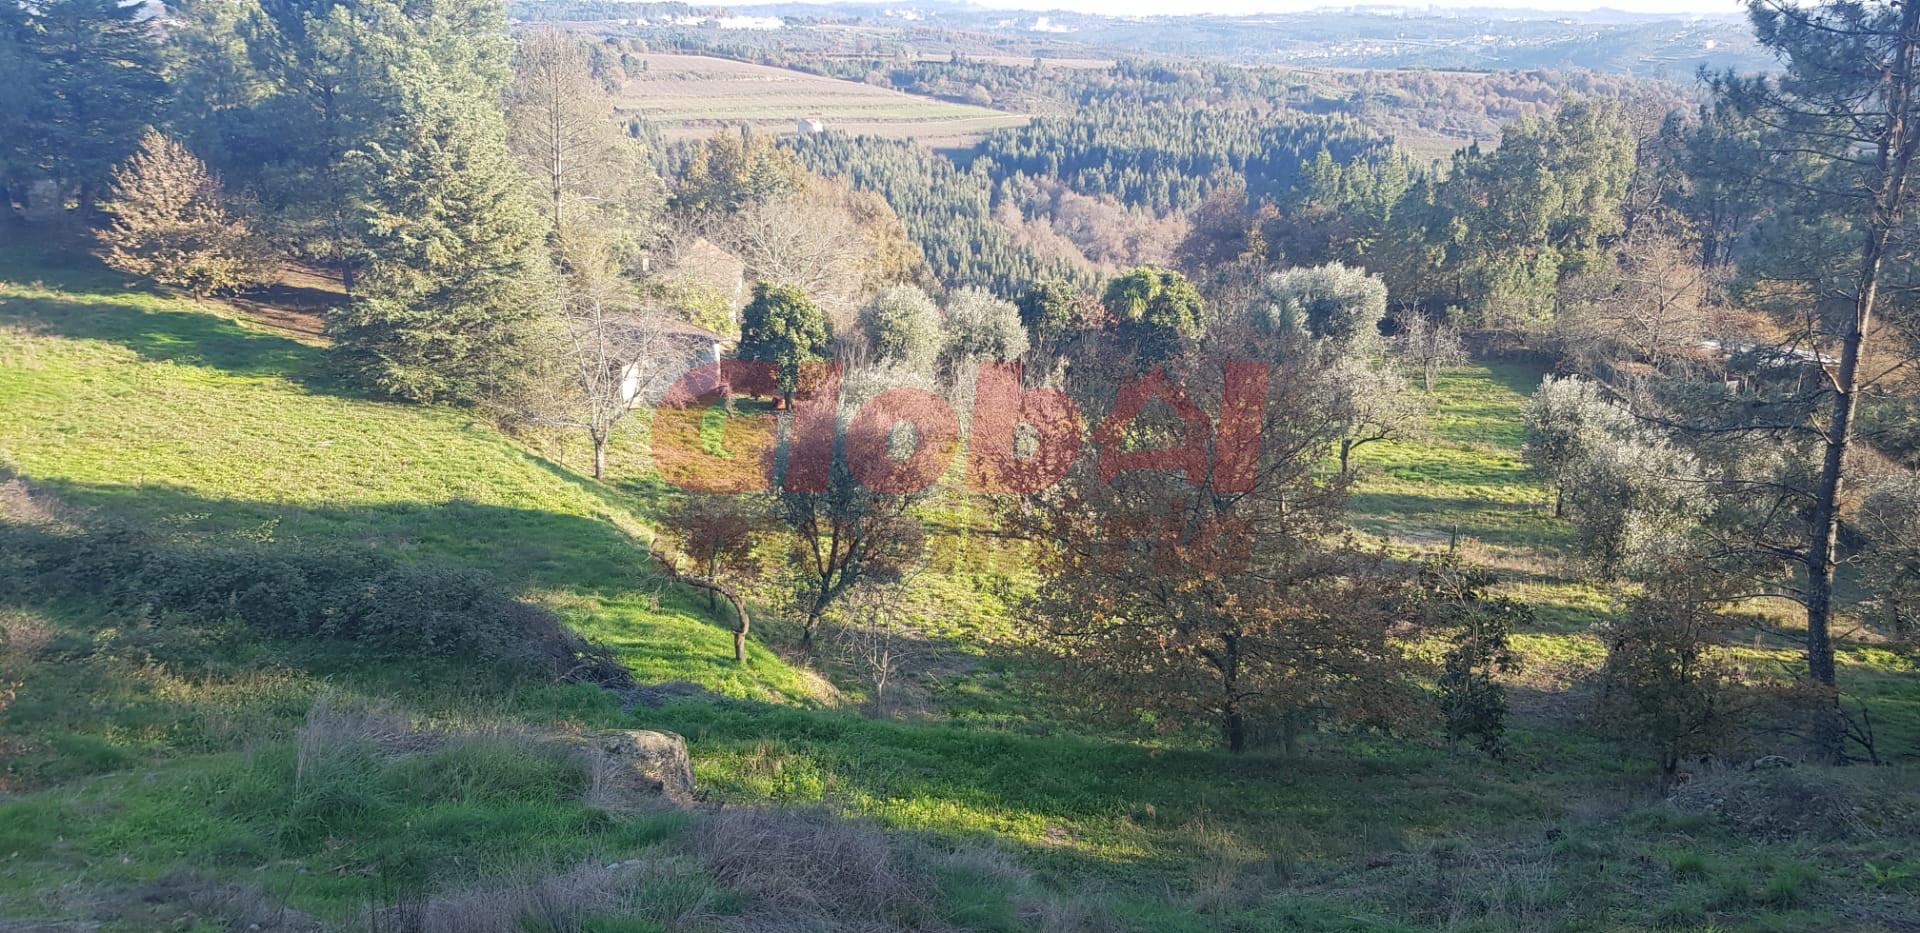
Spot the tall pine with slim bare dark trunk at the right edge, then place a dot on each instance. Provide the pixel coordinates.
(1838, 166)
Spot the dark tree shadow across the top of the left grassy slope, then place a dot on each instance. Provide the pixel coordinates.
(78, 299)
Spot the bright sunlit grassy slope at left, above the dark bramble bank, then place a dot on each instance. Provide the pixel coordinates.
(174, 418)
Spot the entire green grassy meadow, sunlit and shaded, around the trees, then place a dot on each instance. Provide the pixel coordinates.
(197, 778)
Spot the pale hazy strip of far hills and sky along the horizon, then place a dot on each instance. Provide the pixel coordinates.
(1474, 39)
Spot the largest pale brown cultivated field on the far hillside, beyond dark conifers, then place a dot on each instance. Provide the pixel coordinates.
(690, 97)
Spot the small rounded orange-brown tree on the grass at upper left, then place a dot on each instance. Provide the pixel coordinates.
(172, 224)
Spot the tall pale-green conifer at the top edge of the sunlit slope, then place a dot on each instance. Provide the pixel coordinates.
(425, 212)
